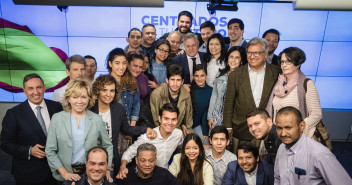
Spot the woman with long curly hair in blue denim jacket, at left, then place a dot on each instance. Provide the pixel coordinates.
(127, 88)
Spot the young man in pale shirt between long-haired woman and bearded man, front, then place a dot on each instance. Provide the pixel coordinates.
(217, 154)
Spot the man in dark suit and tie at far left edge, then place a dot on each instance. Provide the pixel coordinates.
(23, 134)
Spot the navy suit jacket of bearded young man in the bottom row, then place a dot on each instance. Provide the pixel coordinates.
(234, 175)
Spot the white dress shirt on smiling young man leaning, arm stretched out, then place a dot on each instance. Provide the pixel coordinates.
(164, 148)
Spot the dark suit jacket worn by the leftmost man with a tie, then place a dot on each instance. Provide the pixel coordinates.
(20, 131)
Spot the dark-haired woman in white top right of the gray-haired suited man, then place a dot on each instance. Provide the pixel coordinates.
(215, 56)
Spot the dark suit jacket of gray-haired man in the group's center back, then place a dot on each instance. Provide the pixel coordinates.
(182, 61)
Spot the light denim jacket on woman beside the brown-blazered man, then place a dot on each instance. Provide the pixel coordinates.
(218, 95)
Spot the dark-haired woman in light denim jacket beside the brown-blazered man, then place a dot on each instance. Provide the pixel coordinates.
(235, 57)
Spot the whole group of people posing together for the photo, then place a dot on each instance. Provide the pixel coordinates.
(188, 109)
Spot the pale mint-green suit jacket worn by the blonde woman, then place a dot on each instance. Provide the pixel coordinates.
(59, 143)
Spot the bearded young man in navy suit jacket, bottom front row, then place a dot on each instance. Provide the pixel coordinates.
(248, 169)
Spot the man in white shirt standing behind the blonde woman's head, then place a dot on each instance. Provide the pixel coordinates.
(76, 70)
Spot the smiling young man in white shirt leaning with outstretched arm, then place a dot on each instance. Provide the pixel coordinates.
(167, 140)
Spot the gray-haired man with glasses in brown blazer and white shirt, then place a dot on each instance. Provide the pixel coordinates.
(248, 87)
